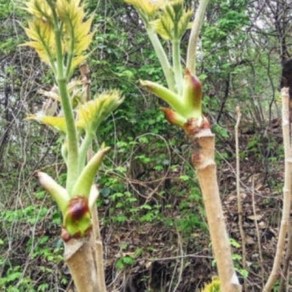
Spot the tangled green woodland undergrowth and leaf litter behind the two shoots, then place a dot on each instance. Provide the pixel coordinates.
(154, 232)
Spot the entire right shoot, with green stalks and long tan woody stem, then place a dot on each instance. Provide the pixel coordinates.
(169, 20)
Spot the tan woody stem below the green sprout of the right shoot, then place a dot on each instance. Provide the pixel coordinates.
(203, 144)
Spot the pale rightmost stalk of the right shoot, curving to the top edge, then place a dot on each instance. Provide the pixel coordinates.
(193, 40)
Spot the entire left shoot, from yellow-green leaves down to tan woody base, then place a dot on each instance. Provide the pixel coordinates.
(60, 32)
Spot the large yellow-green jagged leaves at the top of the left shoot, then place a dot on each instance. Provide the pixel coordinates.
(64, 22)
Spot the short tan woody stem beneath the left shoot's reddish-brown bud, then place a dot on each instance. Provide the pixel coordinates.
(80, 256)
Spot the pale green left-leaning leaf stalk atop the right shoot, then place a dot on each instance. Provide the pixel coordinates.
(162, 57)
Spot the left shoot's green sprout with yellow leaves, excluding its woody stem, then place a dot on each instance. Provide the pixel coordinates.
(60, 33)
